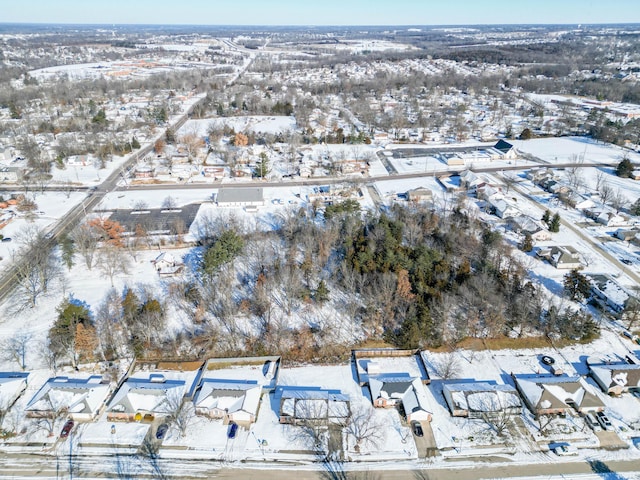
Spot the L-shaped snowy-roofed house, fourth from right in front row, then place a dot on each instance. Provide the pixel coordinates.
(394, 389)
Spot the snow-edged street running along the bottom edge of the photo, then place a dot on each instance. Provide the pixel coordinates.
(106, 466)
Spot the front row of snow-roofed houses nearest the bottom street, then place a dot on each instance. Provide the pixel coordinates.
(232, 389)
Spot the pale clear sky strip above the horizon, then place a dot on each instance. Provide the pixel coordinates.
(320, 12)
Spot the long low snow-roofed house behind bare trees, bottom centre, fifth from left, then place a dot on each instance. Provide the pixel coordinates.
(312, 404)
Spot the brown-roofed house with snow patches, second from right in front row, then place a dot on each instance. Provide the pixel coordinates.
(553, 395)
